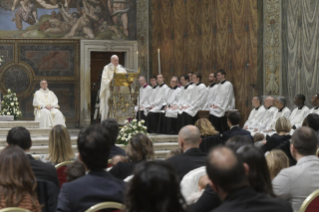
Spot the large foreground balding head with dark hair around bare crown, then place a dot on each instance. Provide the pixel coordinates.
(225, 169)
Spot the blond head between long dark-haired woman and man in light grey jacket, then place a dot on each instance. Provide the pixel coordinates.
(276, 161)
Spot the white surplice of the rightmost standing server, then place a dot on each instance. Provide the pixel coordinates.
(224, 99)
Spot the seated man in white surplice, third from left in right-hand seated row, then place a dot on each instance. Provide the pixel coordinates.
(283, 110)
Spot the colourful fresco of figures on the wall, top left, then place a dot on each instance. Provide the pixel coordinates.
(68, 19)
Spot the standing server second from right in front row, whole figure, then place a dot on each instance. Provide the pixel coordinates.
(198, 101)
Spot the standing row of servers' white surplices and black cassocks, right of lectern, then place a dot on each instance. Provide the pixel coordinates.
(167, 109)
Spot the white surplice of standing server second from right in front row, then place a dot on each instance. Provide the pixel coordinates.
(198, 100)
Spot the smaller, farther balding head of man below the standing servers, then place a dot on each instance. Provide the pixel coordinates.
(190, 136)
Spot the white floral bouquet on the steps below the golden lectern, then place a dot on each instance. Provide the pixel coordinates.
(130, 129)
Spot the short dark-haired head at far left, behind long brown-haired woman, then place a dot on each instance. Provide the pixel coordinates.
(19, 136)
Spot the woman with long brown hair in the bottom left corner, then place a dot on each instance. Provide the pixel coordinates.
(17, 182)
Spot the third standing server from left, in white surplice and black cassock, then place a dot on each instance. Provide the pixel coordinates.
(157, 105)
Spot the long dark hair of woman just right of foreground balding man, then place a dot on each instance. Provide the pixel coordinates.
(259, 177)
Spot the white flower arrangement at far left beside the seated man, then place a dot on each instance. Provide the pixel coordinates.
(10, 105)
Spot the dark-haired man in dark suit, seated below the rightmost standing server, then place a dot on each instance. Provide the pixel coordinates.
(233, 119)
